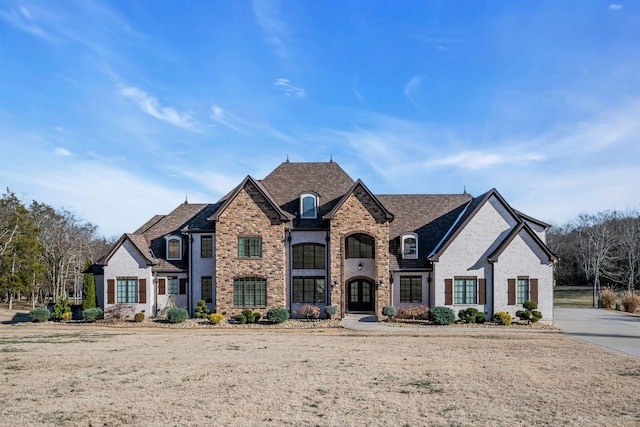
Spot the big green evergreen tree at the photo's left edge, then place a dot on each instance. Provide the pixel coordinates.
(20, 249)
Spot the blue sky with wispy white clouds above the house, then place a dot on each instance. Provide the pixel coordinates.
(118, 110)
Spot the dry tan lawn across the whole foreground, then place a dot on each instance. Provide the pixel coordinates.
(58, 374)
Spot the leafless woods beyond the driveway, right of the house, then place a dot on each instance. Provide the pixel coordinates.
(601, 249)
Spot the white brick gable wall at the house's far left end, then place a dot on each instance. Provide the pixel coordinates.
(128, 262)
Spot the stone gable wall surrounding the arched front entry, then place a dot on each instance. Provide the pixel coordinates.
(359, 214)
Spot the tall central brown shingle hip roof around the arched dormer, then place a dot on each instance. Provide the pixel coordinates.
(289, 180)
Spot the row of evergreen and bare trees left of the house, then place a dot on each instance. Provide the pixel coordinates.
(44, 251)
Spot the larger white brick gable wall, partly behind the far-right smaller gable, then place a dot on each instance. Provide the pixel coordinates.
(467, 254)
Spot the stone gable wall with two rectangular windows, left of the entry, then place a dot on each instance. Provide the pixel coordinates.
(249, 215)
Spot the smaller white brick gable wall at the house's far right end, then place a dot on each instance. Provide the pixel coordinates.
(524, 258)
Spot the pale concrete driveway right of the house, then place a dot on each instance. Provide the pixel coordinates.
(614, 330)
